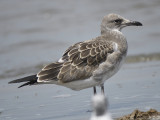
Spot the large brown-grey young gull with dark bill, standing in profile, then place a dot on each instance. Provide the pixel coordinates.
(89, 63)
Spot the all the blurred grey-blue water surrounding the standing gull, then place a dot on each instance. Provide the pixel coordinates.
(36, 32)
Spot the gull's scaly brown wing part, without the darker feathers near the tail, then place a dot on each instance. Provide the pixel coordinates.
(83, 58)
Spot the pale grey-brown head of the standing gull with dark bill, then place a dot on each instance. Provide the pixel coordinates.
(116, 22)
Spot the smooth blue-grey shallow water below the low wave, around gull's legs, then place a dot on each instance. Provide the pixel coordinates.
(136, 86)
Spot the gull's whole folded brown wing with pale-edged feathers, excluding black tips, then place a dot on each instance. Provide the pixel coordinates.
(79, 61)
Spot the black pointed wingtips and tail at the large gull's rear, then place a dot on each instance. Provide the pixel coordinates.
(30, 80)
